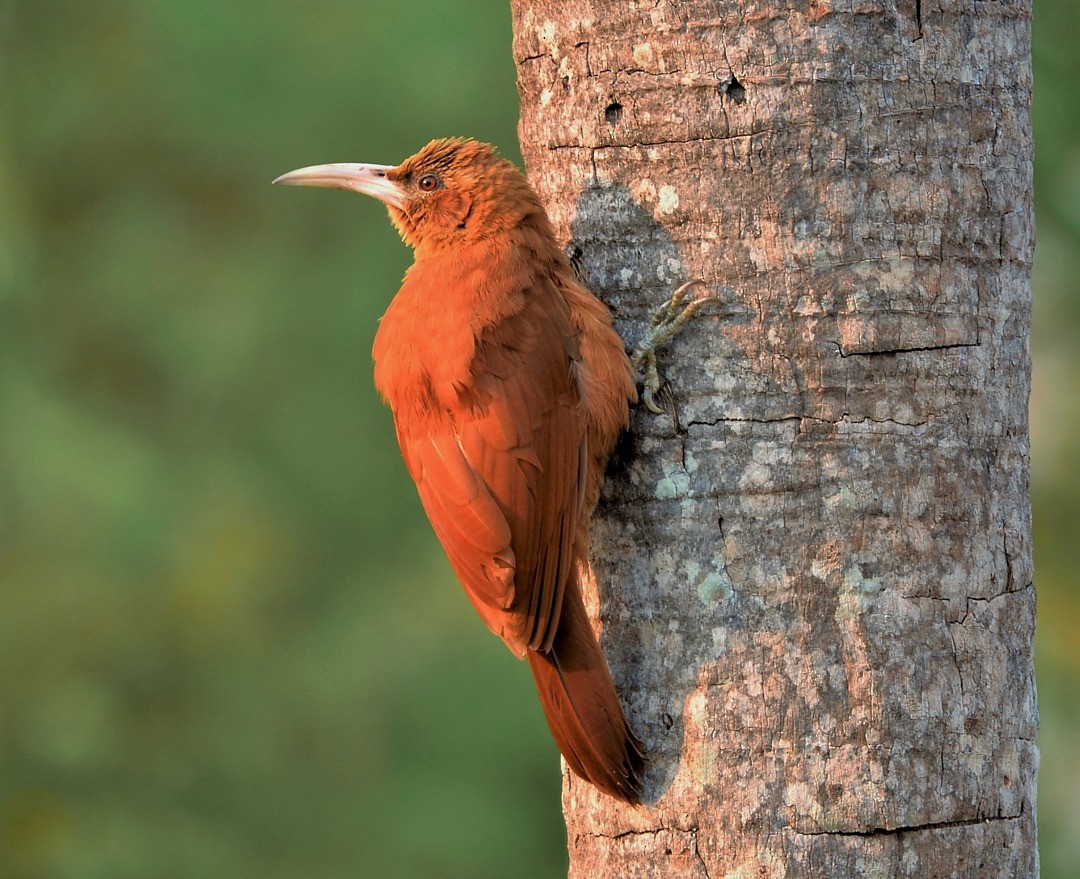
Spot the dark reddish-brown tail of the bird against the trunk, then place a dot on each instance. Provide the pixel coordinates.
(583, 707)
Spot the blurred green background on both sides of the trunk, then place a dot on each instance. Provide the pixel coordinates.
(229, 645)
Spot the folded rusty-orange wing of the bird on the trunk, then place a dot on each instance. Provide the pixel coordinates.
(502, 478)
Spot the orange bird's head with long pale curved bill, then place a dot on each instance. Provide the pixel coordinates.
(453, 192)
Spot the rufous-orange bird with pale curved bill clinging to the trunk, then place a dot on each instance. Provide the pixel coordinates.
(509, 387)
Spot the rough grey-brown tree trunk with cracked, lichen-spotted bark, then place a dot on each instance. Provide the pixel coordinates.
(815, 579)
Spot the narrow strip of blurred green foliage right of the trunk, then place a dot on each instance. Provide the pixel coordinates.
(1056, 418)
